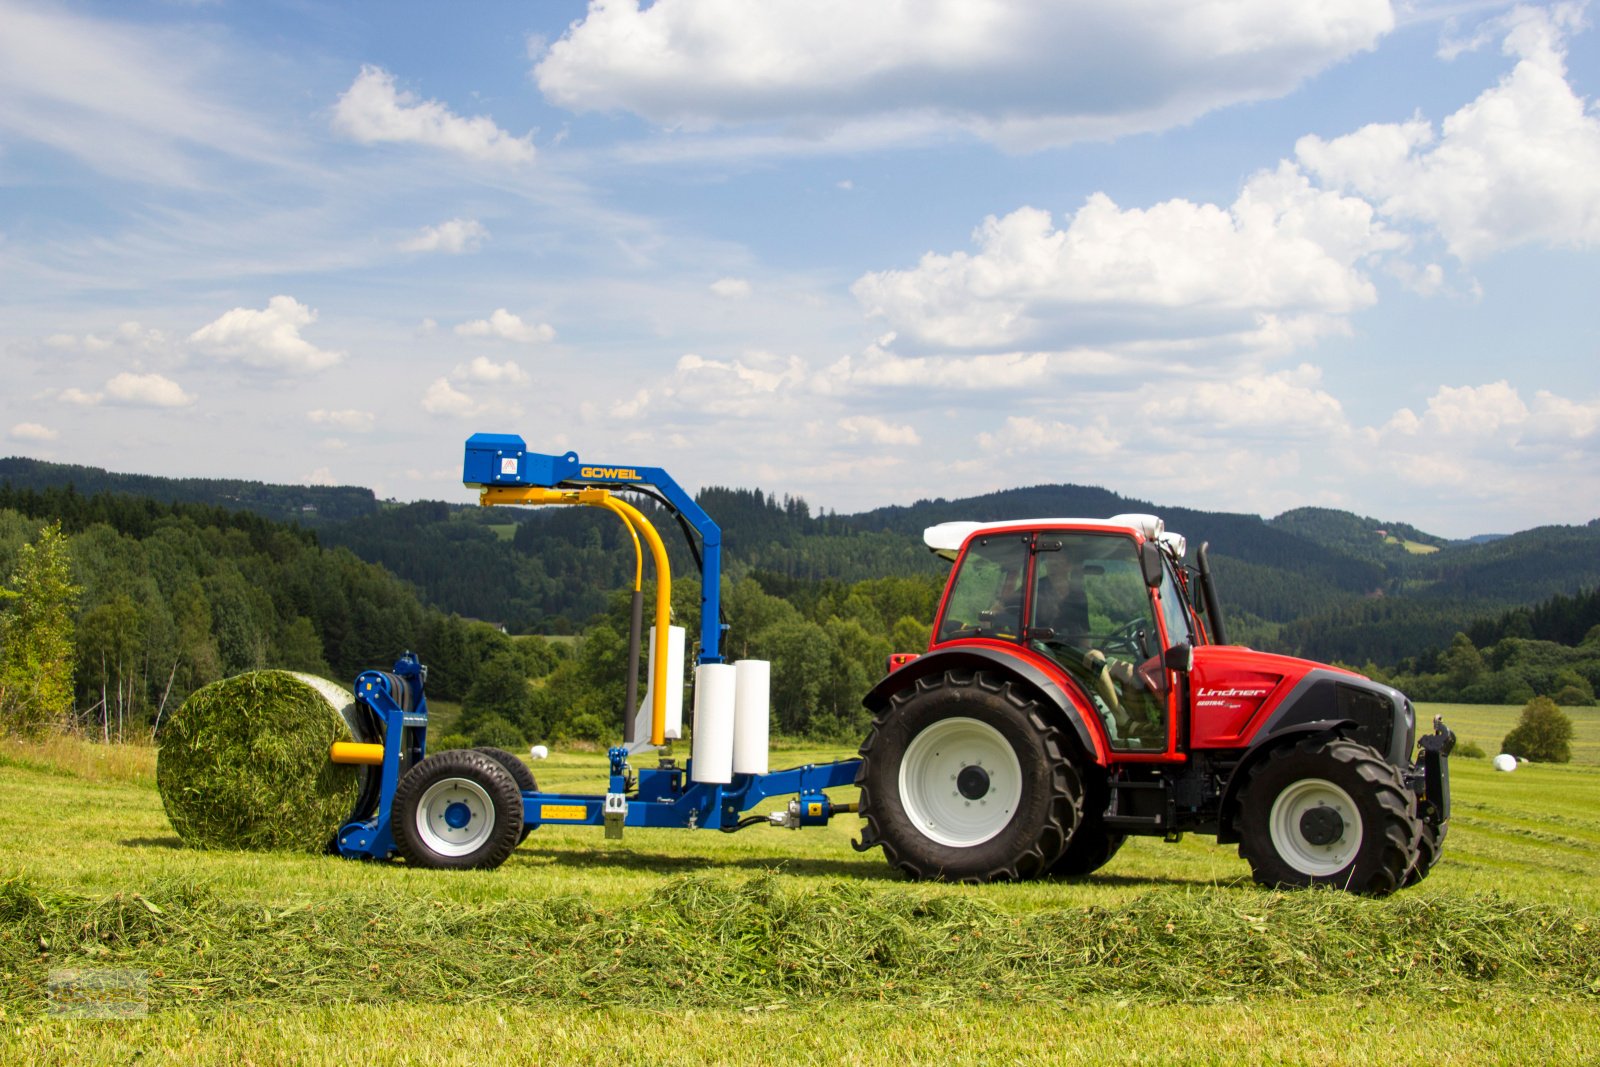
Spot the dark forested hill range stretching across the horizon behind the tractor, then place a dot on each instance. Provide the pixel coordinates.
(1313, 581)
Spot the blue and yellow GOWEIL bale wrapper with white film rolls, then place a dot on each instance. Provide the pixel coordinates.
(471, 809)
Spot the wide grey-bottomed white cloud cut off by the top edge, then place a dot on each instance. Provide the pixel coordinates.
(1012, 71)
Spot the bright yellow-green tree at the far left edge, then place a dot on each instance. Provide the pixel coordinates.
(36, 637)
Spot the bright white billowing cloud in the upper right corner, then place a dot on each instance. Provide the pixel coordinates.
(1518, 166)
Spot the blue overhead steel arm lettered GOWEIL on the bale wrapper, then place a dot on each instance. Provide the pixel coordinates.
(503, 460)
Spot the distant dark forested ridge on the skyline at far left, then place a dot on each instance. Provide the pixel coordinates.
(305, 505)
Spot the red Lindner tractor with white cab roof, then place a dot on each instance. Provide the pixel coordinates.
(1079, 689)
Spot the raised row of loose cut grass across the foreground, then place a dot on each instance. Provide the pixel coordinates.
(703, 941)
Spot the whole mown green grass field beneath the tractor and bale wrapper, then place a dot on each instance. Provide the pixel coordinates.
(775, 945)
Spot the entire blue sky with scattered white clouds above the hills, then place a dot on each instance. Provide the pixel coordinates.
(1241, 255)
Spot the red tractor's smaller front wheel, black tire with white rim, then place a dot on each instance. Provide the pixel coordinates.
(1329, 812)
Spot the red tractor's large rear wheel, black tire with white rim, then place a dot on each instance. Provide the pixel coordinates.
(966, 780)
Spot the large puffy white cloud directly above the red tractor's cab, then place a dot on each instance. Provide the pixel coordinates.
(1282, 247)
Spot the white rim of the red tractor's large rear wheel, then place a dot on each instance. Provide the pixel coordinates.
(929, 788)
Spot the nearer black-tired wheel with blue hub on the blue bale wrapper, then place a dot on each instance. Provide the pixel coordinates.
(457, 810)
